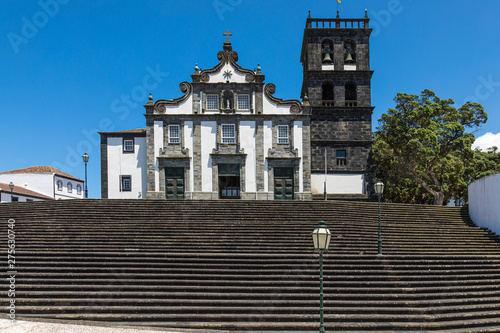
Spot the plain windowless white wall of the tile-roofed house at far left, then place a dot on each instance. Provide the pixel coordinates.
(39, 182)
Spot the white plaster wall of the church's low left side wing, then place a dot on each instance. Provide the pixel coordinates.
(133, 164)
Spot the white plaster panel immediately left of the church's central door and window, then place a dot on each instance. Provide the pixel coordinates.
(208, 143)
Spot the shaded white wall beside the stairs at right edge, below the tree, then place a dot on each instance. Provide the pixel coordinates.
(484, 202)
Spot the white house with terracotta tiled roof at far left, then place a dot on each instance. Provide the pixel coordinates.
(45, 180)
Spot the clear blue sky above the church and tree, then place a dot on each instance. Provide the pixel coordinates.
(70, 68)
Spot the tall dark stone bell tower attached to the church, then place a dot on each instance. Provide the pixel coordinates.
(336, 66)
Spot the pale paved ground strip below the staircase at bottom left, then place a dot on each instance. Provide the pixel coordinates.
(21, 326)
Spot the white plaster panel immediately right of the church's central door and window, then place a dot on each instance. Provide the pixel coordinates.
(247, 142)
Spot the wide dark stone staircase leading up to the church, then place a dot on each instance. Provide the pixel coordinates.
(250, 265)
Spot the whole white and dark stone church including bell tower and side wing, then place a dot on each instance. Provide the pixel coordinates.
(229, 137)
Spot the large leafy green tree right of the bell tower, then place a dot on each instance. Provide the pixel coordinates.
(422, 150)
